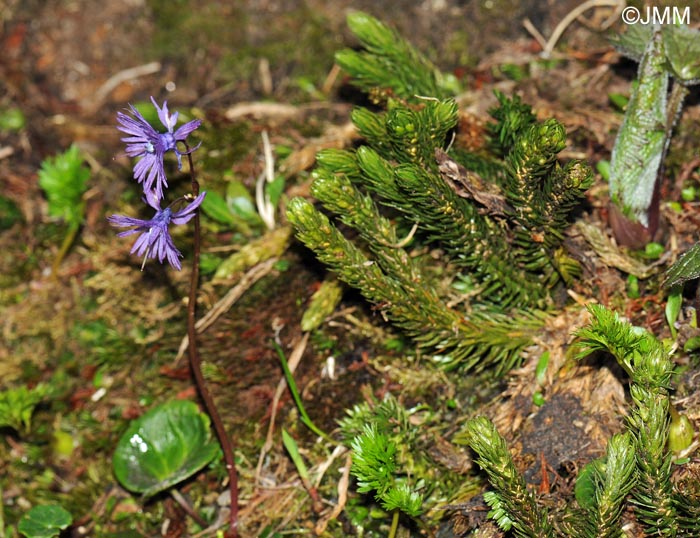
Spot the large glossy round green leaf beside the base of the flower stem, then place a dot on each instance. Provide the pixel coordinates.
(163, 447)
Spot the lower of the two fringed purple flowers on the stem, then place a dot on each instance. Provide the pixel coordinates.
(155, 240)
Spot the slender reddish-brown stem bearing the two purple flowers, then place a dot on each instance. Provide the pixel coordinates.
(196, 367)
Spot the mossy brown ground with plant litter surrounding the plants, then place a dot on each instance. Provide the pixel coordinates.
(104, 335)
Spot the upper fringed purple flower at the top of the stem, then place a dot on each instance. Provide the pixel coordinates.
(145, 142)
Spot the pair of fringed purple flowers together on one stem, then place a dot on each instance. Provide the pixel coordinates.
(151, 146)
